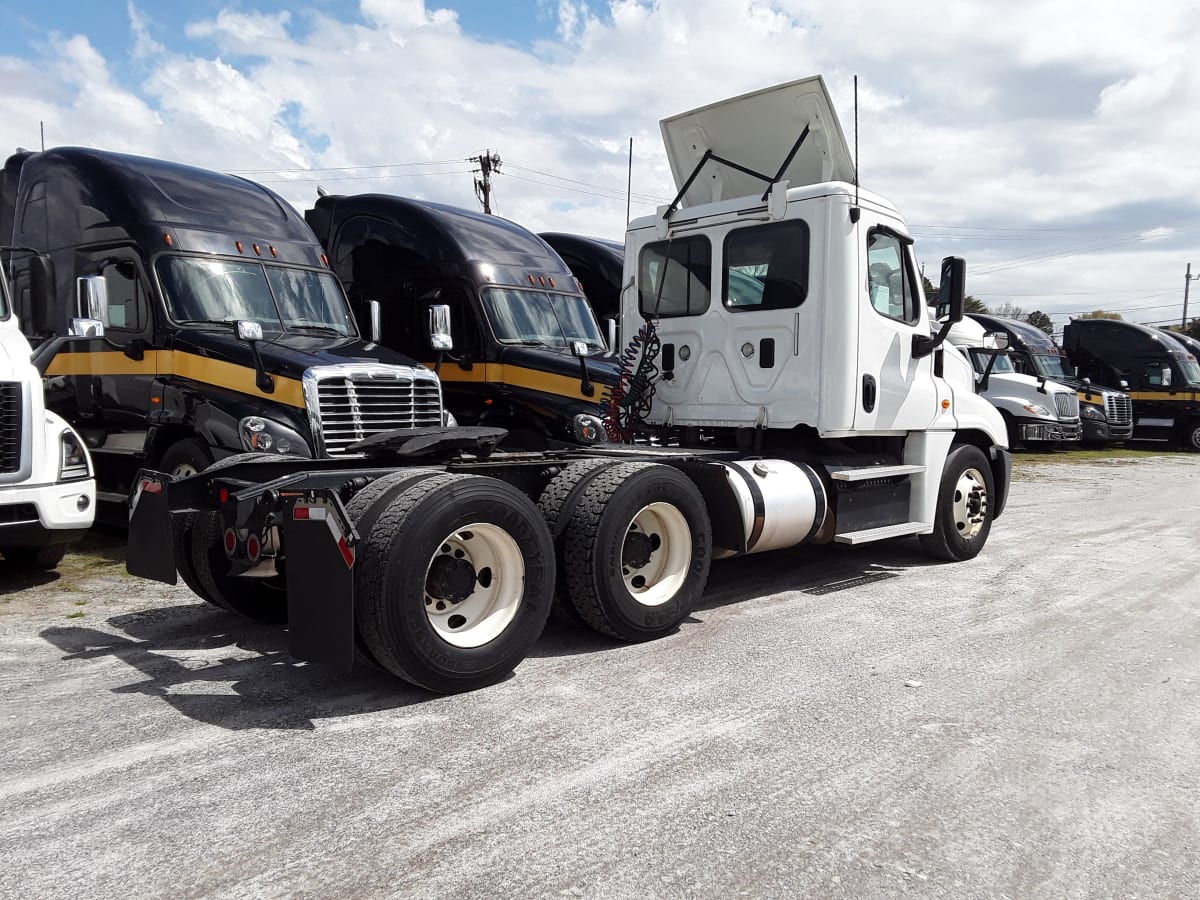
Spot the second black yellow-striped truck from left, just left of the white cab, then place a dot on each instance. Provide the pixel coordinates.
(529, 356)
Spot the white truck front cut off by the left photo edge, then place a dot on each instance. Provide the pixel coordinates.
(47, 491)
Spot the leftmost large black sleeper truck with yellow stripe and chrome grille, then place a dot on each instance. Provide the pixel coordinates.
(217, 325)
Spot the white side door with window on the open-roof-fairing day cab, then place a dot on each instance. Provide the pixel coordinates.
(896, 391)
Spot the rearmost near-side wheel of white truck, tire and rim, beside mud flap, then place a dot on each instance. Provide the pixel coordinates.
(454, 585)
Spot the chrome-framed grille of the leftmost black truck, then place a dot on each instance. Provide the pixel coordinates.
(355, 403)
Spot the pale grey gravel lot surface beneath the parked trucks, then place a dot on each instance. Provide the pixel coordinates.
(832, 723)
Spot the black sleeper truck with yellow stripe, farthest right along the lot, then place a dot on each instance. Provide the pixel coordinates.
(1163, 375)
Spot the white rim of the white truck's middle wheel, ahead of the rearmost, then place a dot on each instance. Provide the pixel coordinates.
(655, 575)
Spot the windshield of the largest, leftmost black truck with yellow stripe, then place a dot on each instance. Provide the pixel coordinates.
(279, 298)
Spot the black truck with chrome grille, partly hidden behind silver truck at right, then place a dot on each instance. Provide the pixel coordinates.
(1106, 413)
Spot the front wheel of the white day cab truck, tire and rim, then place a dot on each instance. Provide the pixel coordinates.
(964, 514)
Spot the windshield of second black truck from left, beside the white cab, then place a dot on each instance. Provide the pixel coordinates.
(537, 317)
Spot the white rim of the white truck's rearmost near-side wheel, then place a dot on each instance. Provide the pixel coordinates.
(485, 572)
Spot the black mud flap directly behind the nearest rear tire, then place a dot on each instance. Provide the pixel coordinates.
(321, 586)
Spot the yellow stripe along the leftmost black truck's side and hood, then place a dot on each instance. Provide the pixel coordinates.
(193, 367)
